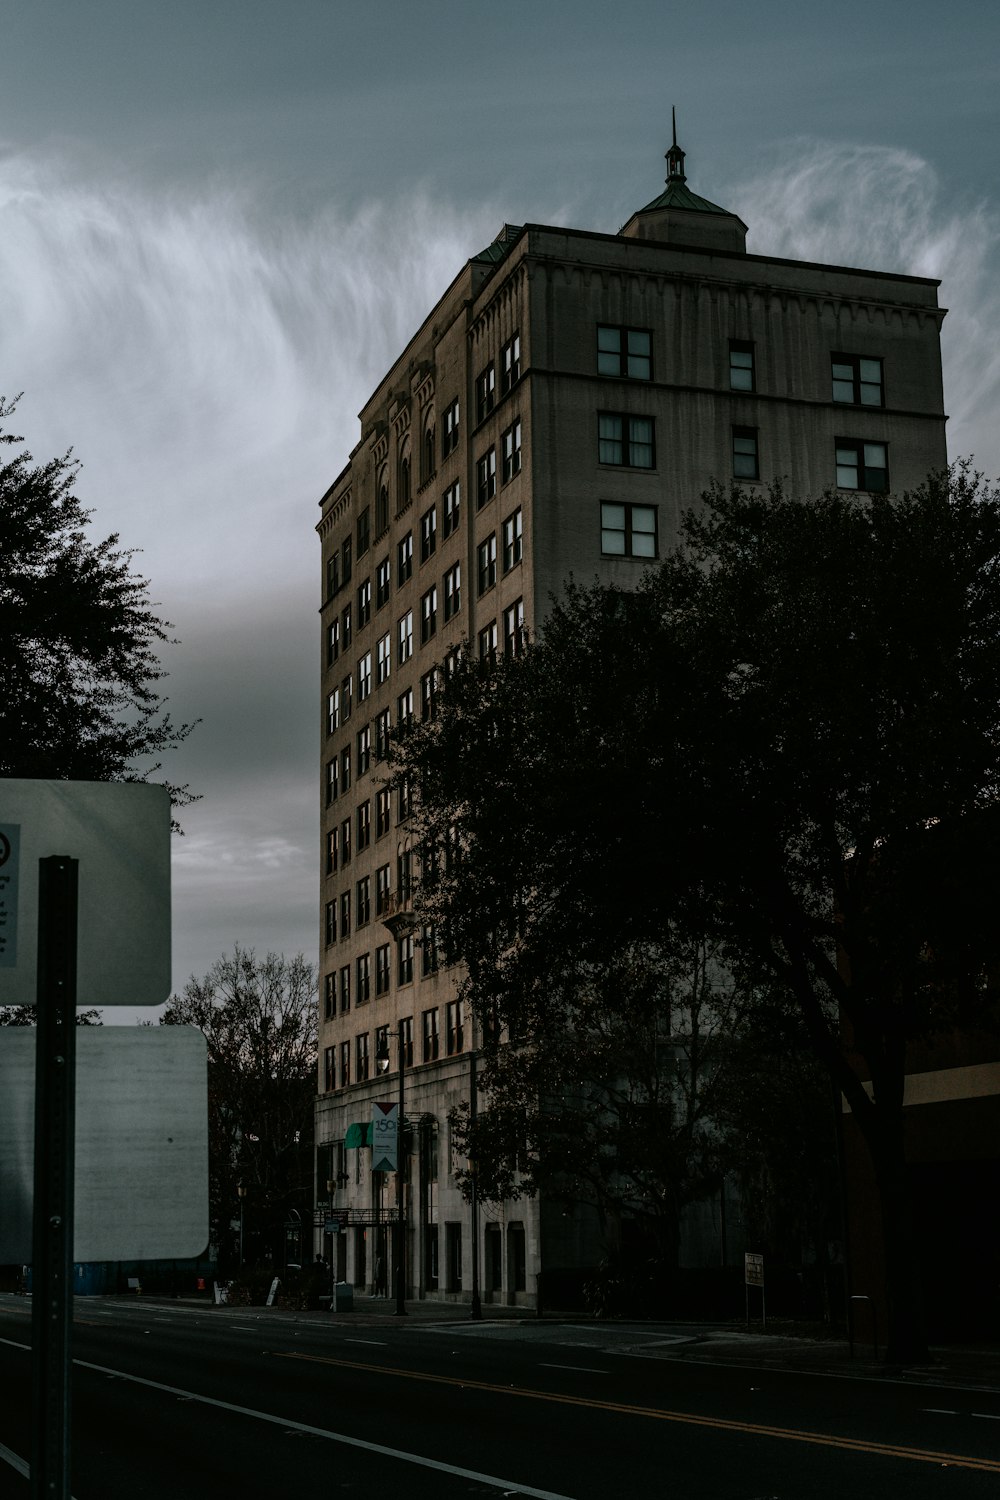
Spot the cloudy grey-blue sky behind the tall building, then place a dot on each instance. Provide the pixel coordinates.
(223, 220)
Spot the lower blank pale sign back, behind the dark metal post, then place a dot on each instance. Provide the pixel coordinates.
(142, 1159)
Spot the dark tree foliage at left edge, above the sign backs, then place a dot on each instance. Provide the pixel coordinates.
(79, 674)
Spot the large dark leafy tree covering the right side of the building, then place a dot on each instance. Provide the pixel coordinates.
(786, 740)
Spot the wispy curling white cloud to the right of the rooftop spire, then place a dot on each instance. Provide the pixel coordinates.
(885, 209)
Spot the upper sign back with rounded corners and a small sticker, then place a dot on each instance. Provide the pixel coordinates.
(119, 832)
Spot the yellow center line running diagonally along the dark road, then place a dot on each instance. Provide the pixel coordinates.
(854, 1445)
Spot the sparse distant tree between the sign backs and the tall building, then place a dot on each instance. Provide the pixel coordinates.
(259, 1018)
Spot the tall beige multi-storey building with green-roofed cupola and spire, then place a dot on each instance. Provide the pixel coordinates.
(569, 397)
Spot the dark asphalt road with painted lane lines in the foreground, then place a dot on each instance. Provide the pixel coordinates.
(185, 1403)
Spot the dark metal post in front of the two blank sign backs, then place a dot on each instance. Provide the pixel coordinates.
(55, 1127)
